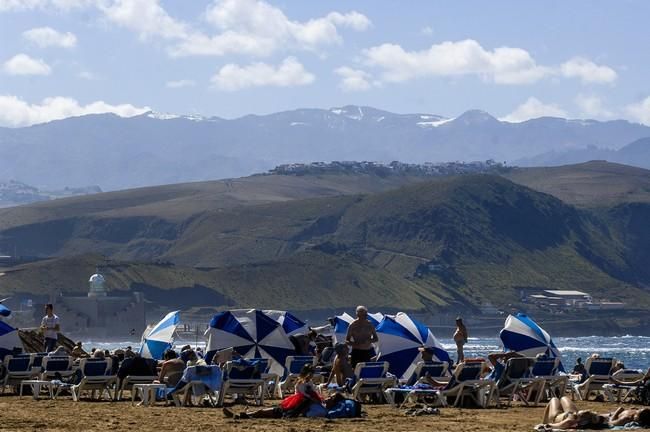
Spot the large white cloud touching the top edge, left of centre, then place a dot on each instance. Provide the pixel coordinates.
(257, 28)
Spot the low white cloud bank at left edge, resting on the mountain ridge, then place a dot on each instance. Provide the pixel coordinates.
(17, 112)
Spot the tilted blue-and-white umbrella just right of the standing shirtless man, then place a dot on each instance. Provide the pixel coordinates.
(400, 336)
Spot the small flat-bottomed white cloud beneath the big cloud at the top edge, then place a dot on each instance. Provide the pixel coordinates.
(289, 73)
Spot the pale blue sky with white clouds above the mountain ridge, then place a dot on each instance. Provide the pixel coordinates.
(229, 58)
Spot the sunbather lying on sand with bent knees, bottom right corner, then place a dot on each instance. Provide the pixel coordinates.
(564, 414)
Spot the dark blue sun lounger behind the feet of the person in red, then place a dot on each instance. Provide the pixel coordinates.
(242, 378)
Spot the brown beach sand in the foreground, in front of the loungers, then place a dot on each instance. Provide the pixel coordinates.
(65, 415)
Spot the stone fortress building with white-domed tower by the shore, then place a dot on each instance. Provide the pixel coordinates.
(99, 314)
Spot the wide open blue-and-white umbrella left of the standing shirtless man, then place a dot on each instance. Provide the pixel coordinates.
(251, 333)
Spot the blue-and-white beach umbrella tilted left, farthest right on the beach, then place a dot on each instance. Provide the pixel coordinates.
(521, 334)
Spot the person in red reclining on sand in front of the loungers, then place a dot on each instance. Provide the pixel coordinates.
(294, 405)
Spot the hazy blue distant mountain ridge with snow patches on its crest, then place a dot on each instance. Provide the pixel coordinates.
(154, 148)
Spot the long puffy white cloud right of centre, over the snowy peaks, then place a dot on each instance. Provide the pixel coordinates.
(503, 65)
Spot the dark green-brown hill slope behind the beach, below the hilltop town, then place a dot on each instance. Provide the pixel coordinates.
(458, 242)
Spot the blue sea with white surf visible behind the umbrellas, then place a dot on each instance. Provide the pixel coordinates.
(633, 351)
